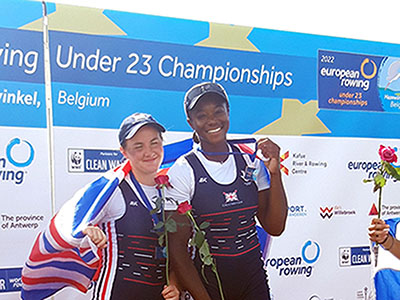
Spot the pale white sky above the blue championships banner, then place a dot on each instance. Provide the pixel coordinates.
(358, 19)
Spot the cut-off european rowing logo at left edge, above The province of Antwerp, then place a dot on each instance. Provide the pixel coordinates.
(20, 154)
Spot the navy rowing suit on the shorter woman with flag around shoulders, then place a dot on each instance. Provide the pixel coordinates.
(140, 272)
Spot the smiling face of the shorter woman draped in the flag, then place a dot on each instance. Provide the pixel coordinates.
(145, 153)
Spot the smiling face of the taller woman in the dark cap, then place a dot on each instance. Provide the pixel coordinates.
(210, 119)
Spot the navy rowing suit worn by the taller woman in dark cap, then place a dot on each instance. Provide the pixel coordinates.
(230, 209)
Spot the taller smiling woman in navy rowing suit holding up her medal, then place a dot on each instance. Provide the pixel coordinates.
(229, 190)
